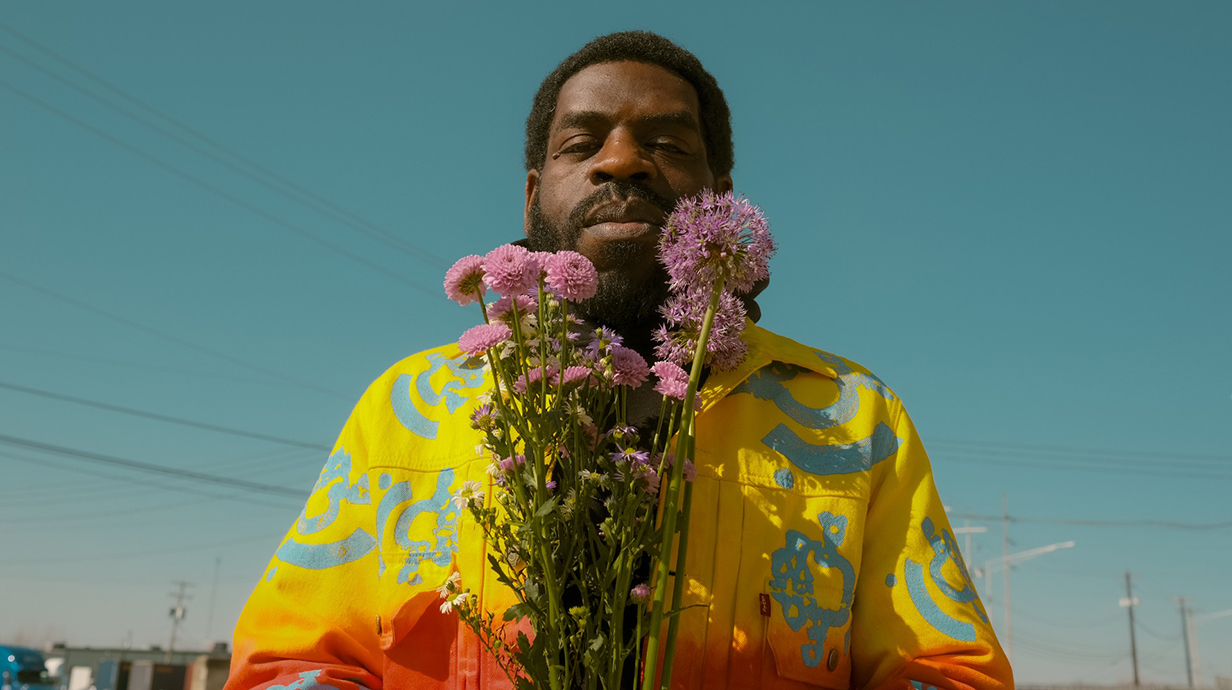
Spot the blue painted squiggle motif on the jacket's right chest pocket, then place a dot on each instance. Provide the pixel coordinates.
(793, 583)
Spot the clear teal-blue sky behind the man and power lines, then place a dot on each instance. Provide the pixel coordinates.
(1015, 214)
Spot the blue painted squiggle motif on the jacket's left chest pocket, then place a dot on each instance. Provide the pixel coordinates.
(444, 542)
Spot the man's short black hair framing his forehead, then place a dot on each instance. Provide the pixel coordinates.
(640, 47)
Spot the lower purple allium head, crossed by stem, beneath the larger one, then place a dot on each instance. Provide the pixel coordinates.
(678, 338)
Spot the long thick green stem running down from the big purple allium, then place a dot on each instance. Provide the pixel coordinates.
(672, 512)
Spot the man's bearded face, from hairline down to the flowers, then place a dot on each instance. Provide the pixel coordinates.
(624, 146)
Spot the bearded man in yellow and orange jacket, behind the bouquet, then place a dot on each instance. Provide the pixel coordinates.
(820, 553)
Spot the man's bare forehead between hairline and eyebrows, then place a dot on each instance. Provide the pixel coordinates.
(626, 91)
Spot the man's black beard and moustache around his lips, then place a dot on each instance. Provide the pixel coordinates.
(628, 301)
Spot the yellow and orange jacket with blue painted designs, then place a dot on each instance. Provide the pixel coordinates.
(819, 550)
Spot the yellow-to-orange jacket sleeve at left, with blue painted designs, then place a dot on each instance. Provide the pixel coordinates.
(311, 620)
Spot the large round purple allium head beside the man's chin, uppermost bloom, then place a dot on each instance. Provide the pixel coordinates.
(713, 237)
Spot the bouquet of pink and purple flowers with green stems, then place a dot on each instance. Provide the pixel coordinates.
(587, 508)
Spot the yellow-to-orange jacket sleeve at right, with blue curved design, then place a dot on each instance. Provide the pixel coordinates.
(917, 619)
